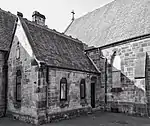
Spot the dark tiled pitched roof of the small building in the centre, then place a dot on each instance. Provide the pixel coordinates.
(56, 49)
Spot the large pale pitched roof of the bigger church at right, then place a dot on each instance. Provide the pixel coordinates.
(116, 21)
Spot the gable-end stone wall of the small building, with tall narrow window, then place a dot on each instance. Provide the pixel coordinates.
(26, 109)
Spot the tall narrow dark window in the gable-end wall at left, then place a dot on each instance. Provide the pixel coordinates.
(18, 85)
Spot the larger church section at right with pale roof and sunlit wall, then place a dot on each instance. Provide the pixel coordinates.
(120, 34)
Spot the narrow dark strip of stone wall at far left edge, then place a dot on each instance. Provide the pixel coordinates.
(2, 83)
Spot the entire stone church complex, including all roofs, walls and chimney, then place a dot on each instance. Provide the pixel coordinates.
(100, 62)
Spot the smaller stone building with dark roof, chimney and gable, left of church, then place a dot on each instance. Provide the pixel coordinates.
(45, 75)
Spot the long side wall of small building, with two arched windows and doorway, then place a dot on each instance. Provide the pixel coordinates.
(73, 106)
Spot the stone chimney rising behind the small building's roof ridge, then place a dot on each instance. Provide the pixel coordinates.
(38, 18)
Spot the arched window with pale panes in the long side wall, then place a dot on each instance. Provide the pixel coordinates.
(63, 89)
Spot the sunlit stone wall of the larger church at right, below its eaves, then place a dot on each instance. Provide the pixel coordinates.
(133, 95)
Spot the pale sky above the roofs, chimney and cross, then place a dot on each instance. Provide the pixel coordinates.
(57, 12)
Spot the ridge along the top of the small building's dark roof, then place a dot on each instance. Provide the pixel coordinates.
(54, 31)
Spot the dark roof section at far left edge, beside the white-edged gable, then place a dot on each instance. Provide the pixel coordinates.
(7, 23)
